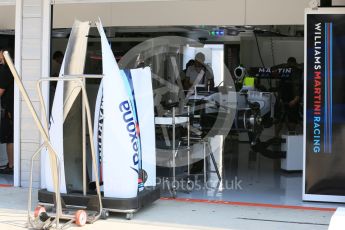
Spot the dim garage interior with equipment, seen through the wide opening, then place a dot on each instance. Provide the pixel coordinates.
(248, 174)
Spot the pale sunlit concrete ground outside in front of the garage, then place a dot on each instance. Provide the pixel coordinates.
(168, 214)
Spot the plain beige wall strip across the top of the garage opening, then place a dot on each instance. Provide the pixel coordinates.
(181, 12)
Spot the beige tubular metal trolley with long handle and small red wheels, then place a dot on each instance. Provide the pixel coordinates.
(77, 214)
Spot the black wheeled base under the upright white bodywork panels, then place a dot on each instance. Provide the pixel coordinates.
(122, 205)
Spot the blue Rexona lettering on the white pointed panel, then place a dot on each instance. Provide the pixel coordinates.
(131, 126)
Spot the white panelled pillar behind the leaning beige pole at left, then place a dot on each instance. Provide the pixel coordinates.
(29, 60)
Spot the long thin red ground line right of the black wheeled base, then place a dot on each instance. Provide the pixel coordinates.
(248, 204)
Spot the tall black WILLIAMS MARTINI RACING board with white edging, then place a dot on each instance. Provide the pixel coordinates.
(324, 124)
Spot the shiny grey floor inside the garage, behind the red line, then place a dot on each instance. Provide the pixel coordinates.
(247, 177)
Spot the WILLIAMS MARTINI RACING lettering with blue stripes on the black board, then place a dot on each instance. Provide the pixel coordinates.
(322, 87)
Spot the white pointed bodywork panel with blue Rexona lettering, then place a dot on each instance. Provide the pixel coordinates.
(120, 148)
